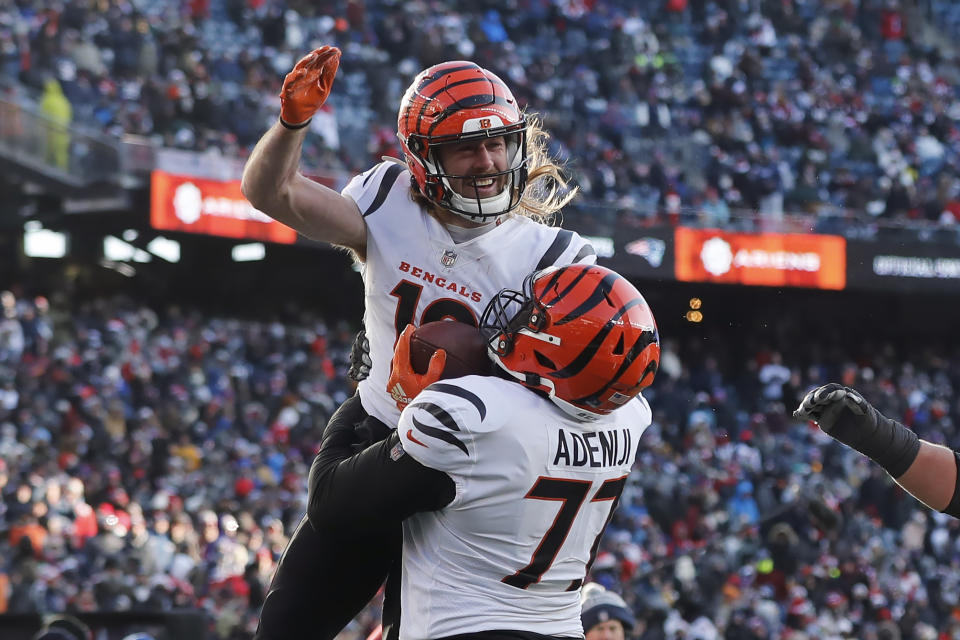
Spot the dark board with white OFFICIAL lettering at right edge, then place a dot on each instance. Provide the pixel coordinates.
(929, 267)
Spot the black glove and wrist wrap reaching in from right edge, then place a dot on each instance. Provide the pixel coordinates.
(844, 415)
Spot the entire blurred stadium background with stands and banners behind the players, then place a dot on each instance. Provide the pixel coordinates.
(778, 178)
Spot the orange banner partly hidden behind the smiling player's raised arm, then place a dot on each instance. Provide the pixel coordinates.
(199, 205)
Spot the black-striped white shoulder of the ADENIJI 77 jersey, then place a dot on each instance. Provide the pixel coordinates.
(441, 426)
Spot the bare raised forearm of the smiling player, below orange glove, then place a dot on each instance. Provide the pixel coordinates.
(272, 166)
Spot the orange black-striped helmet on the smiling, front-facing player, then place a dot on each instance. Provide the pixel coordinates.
(455, 102)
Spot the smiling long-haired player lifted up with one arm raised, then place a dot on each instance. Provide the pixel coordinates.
(437, 236)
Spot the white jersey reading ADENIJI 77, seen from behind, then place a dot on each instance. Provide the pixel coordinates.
(535, 489)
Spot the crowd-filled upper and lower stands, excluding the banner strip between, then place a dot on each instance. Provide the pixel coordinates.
(152, 456)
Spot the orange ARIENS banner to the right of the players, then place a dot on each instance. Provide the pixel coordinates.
(765, 259)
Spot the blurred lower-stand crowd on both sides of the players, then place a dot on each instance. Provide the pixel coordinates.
(155, 458)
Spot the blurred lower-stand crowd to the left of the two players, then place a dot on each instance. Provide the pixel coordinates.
(121, 443)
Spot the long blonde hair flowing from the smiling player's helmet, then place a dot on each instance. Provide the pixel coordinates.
(546, 193)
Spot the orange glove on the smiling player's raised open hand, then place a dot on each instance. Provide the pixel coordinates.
(307, 86)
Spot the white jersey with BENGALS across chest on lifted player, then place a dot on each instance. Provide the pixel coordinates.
(414, 272)
